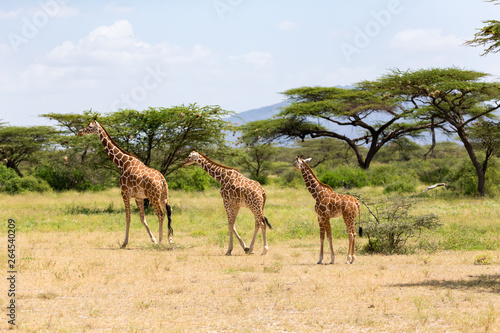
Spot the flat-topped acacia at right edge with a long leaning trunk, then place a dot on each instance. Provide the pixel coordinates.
(454, 96)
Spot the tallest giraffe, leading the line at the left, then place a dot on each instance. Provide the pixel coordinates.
(137, 181)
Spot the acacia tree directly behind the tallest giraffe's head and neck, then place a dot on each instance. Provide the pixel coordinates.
(160, 137)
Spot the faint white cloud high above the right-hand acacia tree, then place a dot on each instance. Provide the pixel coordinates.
(411, 40)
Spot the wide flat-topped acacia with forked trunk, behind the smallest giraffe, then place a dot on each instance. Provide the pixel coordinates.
(372, 118)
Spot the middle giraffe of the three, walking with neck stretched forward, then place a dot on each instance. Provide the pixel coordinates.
(237, 191)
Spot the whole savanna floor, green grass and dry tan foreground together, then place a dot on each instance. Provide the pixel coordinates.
(74, 277)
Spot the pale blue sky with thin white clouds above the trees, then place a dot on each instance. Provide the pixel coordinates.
(67, 56)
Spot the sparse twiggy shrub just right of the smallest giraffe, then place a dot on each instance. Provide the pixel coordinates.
(393, 226)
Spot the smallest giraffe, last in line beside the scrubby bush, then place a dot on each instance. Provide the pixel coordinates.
(330, 205)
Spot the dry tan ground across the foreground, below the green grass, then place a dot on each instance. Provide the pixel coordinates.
(78, 281)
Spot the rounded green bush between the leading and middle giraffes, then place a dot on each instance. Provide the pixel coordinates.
(191, 179)
